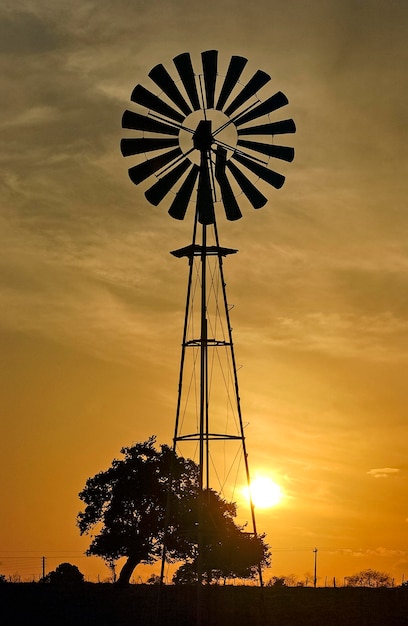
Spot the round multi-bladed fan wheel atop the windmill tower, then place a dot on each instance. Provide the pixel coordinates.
(200, 136)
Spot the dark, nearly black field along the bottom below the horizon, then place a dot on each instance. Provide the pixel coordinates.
(105, 605)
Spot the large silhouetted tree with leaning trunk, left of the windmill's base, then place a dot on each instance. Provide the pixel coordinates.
(127, 505)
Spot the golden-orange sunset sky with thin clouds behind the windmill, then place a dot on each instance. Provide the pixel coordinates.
(91, 301)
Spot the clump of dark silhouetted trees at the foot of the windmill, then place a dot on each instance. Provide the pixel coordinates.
(152, 496)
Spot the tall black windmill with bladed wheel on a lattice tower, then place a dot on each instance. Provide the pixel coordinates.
(207, 140)
